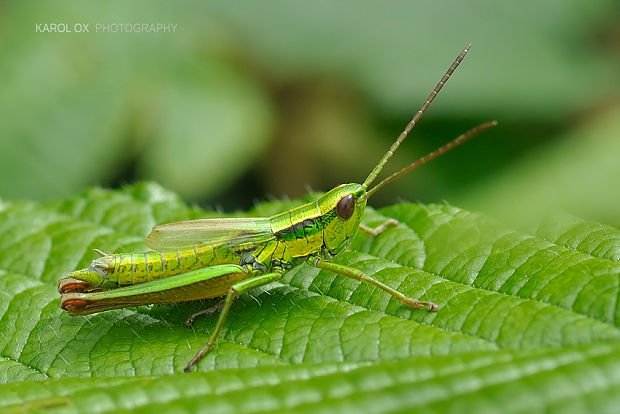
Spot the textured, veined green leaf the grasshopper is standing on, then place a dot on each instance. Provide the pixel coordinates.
(527, 321)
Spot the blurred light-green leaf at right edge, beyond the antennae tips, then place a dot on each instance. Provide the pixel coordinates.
(580, 173)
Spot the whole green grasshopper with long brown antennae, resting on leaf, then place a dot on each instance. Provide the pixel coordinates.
(209, 258)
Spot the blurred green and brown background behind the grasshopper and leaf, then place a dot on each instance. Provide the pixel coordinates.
(273, 98)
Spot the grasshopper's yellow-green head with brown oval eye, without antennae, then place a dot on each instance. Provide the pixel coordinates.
(341, 211)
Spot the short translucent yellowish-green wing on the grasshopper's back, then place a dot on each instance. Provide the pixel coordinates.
(233, 231)
